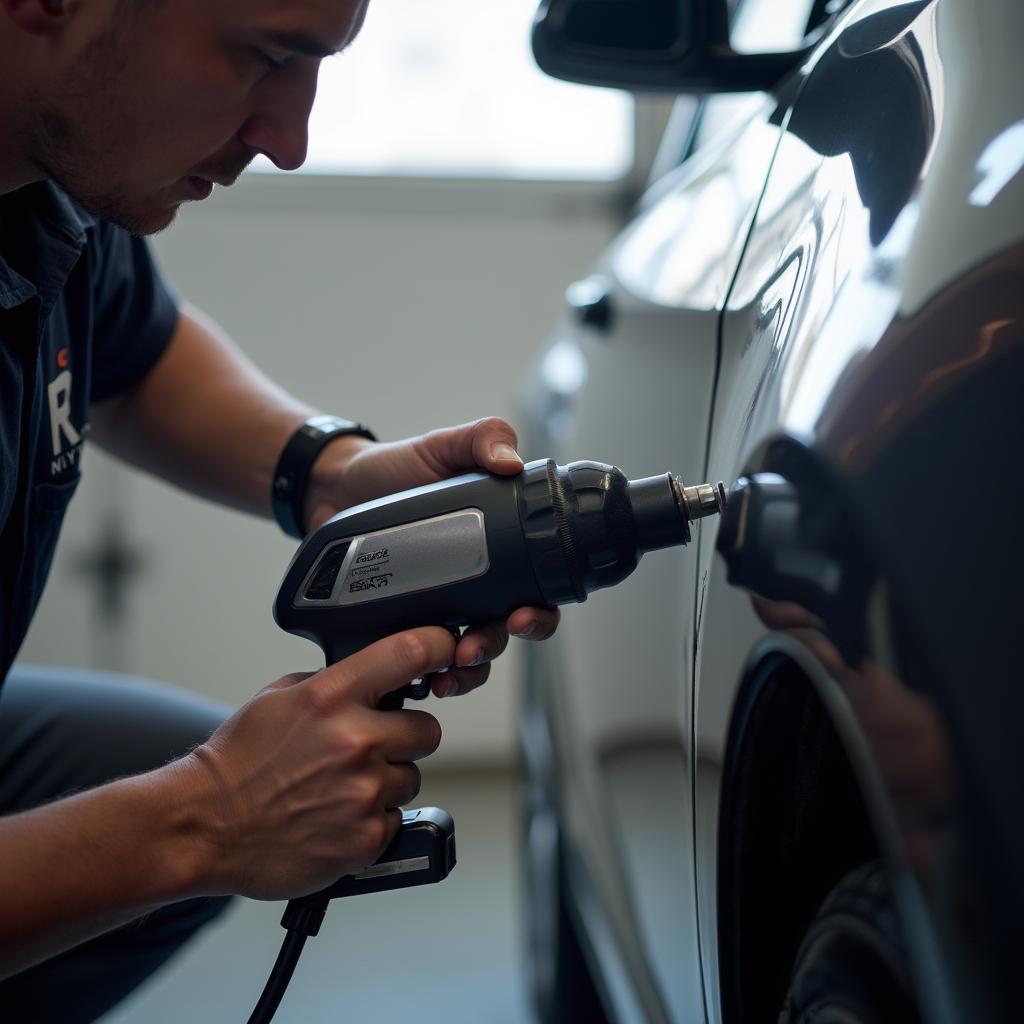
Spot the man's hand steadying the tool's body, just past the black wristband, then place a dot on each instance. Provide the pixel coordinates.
(354, 471)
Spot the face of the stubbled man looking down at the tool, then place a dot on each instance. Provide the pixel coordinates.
(167, 97)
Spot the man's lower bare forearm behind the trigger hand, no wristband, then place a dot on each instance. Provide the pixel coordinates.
(86, 865)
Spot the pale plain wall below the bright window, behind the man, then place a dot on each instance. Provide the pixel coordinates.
(404, 310)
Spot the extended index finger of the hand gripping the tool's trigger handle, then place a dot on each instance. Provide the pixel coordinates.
(383, 667)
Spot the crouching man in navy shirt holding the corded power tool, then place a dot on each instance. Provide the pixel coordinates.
(114, 113)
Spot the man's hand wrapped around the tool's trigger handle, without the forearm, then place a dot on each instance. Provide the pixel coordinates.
(303, 785)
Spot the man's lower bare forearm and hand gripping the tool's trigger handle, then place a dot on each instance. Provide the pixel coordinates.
(301, 787)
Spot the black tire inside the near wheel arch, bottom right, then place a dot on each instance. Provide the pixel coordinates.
(852, 965)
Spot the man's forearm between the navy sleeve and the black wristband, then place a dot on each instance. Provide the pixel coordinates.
(204, 418)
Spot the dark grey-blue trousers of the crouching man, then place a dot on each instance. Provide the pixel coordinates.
(63, 732)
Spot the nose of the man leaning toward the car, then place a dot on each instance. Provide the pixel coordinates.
(279, 124)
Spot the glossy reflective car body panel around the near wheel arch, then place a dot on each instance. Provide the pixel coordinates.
(877, 290)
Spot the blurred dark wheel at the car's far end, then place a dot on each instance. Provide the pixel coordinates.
(560, 978)
